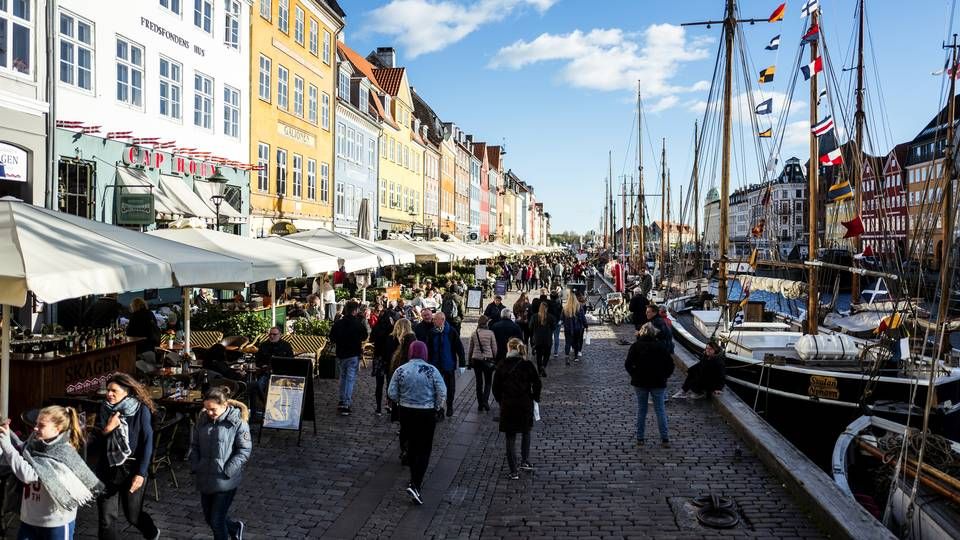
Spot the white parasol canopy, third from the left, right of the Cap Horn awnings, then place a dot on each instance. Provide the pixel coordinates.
(270, 261)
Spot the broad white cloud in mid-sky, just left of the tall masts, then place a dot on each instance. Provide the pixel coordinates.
(612, 59)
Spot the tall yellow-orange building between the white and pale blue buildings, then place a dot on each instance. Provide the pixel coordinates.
(293, 85)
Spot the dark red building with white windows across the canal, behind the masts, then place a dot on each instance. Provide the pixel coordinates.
(884, 211)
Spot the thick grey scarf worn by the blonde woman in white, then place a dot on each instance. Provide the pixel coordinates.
(62, 471)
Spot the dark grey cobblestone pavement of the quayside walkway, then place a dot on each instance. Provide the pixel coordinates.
(590, 479)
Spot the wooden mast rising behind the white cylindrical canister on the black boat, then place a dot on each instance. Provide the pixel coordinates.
(813, 299)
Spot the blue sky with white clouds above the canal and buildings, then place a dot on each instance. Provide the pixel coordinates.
(556, 82)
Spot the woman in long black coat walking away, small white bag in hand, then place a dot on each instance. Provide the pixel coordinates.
(516, 386)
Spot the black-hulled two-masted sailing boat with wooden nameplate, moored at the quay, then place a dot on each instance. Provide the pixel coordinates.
(797, 377)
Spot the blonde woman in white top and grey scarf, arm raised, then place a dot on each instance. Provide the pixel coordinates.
(56, 480)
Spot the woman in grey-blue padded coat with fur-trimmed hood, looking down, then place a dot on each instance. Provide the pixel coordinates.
(220, 445)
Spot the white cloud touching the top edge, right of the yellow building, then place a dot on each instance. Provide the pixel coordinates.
(425, 26)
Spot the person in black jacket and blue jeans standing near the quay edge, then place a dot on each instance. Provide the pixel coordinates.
(650, 365)
